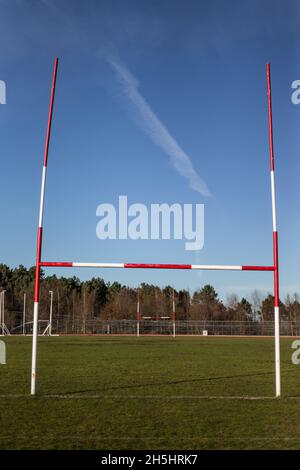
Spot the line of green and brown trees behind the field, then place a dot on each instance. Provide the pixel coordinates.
(97, 299)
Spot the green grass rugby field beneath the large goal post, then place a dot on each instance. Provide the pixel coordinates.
(149, 393)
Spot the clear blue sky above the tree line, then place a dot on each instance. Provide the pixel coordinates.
(200, 68)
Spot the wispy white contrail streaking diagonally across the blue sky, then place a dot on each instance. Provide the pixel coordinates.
(155, 129)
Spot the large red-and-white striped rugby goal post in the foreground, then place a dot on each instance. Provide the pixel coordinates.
(40, 263)
